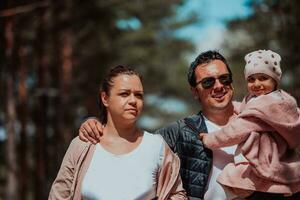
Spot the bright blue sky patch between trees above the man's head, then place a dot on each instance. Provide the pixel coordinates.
(207, 32)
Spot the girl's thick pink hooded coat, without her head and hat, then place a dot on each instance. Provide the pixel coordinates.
(266, 131)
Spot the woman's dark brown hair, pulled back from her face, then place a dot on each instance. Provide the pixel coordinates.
(107, 83)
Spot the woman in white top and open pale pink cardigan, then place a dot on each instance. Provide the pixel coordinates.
(127, 163)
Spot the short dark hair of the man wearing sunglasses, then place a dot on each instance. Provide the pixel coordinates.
(205, 57)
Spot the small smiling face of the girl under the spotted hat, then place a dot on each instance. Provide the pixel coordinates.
(260, 84)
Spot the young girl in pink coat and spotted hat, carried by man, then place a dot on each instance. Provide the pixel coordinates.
(267, 131)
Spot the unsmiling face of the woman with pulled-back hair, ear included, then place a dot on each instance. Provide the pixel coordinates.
(125, 100)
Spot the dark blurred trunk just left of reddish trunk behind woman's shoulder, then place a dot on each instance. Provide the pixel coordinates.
(41, 108)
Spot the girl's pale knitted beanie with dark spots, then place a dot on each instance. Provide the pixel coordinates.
(265, 62)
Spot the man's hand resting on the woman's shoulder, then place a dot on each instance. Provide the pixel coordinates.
(91, 130)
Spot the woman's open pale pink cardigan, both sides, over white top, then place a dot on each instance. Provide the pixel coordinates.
(67, 184)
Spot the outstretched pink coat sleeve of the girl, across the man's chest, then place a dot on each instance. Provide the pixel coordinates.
(235, 132)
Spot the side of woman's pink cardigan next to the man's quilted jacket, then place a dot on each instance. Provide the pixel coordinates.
(169, 181)
